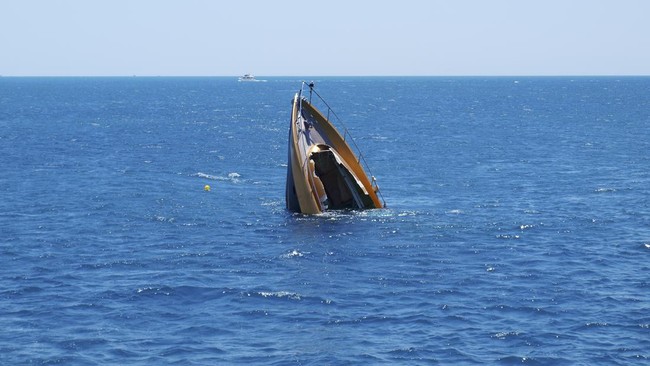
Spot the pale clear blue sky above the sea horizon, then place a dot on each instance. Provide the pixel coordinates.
(327, 37)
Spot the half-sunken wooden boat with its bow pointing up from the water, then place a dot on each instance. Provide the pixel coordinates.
(323, 172)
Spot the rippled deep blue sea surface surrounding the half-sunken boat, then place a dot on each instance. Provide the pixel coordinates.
(517, 227)
